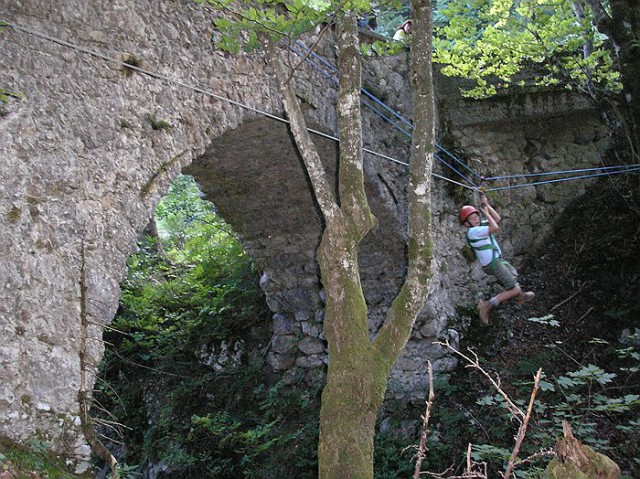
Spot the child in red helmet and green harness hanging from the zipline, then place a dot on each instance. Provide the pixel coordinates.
(480, 237)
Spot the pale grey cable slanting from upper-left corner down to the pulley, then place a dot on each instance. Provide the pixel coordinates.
(194, 88)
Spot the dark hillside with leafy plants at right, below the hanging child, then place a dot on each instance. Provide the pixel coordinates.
(587, 306)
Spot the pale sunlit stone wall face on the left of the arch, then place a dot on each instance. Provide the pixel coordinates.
(84, 161)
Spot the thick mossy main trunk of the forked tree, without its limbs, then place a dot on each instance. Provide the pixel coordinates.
(355, 382)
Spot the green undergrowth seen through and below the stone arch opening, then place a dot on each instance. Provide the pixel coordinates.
(191, 297)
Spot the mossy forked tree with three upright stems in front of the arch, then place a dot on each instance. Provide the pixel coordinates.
(358, 366)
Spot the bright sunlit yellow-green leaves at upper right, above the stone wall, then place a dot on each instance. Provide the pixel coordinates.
(492, 41)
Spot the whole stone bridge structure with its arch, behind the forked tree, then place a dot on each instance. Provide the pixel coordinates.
(89, 147)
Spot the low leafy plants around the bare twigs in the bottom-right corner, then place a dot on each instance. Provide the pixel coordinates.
(600, 398)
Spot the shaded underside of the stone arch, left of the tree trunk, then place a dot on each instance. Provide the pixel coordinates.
(254, 176)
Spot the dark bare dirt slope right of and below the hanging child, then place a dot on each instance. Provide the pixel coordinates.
(587, 276)
